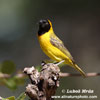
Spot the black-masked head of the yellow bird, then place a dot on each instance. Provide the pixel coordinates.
(44, 26)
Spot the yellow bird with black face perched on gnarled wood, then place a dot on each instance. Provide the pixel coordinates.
(53, 47)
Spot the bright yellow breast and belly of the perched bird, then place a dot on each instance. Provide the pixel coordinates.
(50, 50)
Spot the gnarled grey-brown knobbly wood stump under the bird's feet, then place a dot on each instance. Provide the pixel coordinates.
(44, 83)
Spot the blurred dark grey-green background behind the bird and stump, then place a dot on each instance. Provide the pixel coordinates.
(76, 22)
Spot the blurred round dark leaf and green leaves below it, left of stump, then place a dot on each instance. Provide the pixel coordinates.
(8, 67)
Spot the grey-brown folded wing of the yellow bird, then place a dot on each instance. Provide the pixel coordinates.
(59, 44)
